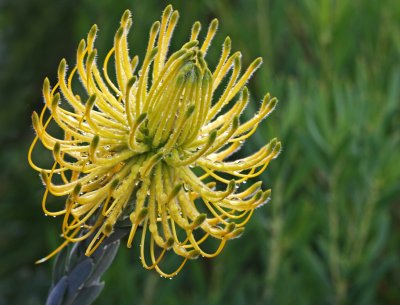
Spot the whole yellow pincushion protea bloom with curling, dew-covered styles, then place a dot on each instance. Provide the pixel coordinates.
(153, 145)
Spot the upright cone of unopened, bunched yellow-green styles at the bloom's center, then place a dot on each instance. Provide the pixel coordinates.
(176, 106)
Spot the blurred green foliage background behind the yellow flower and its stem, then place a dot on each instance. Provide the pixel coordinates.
(330, 235)
